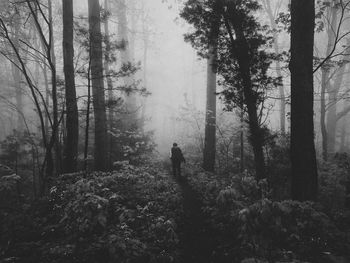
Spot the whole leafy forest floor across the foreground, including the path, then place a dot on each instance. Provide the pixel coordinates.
(144, 214)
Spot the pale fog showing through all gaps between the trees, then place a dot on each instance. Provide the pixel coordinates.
(171, 71)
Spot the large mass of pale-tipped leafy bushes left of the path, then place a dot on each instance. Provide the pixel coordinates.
(124, 216)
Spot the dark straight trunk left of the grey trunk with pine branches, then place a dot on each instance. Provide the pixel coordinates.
(72, 119)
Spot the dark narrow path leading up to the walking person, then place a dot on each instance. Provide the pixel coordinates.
(196, 238)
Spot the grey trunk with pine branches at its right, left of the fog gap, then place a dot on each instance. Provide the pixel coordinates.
(98, 92)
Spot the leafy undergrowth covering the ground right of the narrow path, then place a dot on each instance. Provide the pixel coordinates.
(251, 226)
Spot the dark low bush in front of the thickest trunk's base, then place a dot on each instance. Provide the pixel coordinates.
(270, 229)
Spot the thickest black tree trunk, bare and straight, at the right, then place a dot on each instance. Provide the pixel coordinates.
(303, 154)
